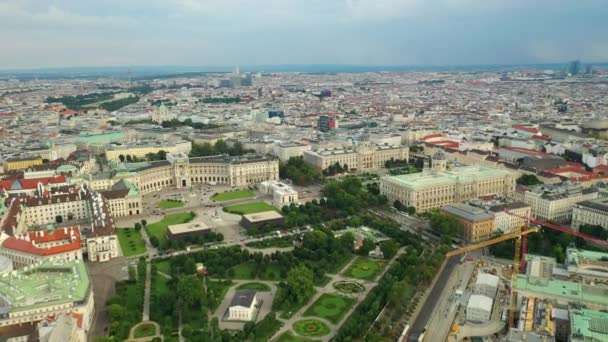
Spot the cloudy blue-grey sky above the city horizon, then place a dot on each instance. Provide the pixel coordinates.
(76, 33)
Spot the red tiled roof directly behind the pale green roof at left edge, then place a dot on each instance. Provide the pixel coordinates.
(21, 243)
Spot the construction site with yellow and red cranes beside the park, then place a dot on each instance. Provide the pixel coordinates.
(528, 299)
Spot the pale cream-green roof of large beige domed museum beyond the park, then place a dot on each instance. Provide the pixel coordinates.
(462, 174)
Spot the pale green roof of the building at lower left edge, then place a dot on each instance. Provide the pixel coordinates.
(43, 285)
